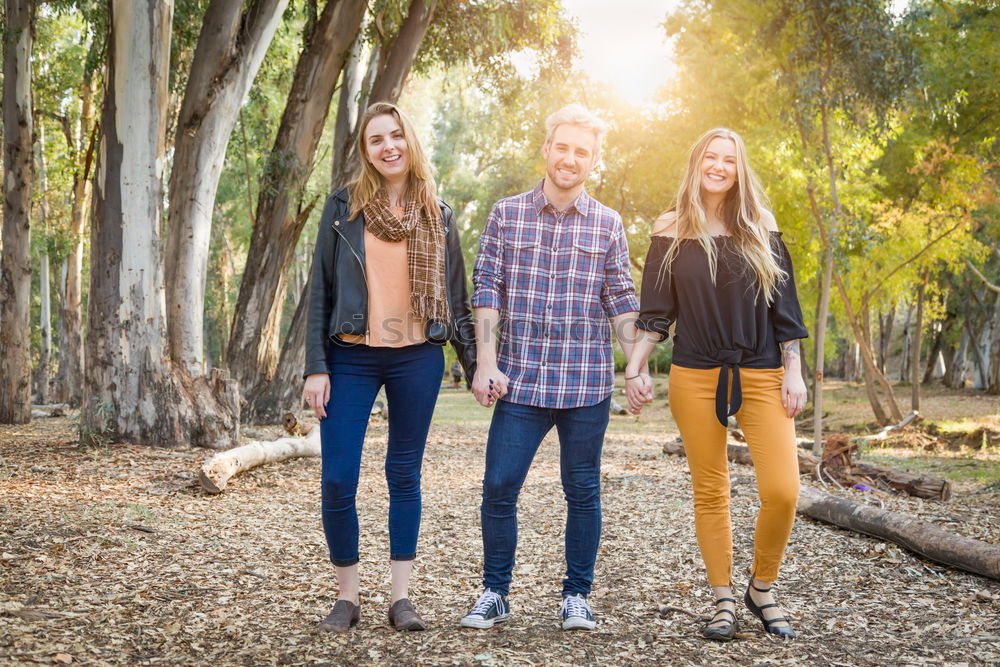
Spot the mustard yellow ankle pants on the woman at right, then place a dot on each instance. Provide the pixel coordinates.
(770, 435)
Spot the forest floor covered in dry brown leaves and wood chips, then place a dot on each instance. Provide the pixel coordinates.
(113, 555)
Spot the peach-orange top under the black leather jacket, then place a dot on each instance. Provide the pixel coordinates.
(391, 320)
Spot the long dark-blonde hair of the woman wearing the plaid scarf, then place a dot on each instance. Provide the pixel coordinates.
(420, 178)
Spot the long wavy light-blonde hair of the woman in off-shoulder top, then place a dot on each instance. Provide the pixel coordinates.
(742, 211)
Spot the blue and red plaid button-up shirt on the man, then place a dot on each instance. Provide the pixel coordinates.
(556, 277)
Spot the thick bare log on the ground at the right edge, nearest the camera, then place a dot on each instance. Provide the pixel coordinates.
(916, 535)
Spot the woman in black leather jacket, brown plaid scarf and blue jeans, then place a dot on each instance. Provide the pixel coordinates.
(388, 290)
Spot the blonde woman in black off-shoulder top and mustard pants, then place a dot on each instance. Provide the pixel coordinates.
(718, 270)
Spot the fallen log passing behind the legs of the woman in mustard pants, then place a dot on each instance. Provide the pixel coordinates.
(920, 486)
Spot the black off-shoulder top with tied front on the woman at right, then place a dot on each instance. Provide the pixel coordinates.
(726, 324)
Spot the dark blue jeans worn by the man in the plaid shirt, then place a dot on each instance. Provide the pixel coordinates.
(515, 433)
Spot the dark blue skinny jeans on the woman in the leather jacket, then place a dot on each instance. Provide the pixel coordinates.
(412, 378)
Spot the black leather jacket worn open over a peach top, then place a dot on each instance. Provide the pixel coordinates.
(338, 297)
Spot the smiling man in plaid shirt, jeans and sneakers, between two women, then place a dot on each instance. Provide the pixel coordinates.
(552, 270)
